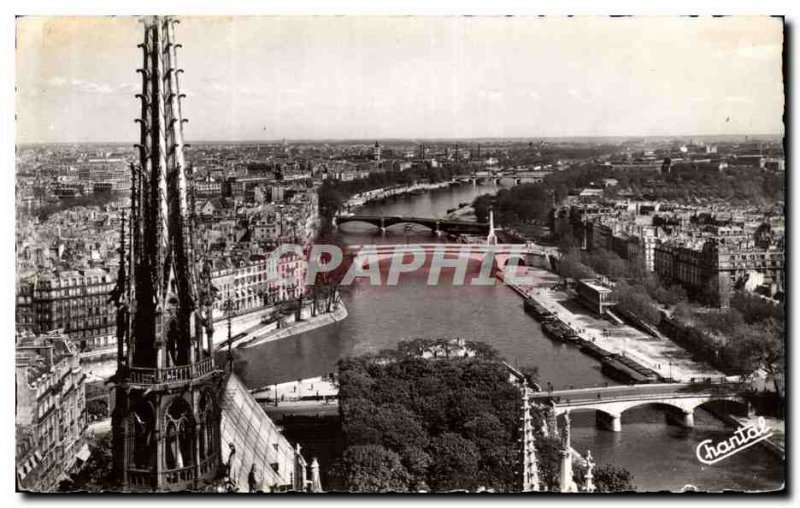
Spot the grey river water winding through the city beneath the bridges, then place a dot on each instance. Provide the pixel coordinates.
(661, 457)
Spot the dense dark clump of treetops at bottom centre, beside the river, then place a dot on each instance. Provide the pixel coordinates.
(452, 422)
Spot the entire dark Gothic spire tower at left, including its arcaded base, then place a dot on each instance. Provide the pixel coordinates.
(166, 423)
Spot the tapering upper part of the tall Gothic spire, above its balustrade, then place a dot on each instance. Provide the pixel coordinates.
(164, 272)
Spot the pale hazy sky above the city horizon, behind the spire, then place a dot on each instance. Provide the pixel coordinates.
(255, 78)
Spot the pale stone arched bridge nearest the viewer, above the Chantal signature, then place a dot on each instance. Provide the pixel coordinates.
(678, 399)
